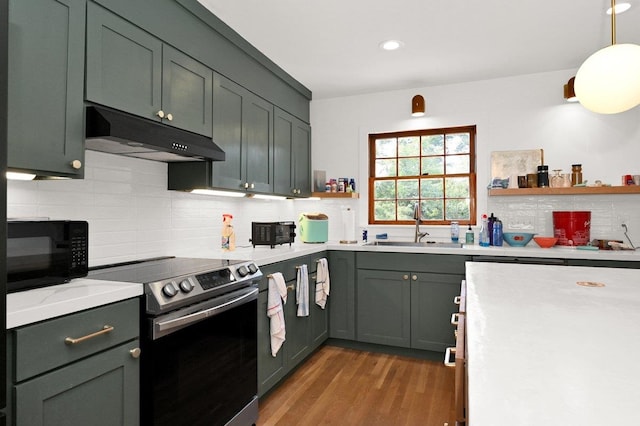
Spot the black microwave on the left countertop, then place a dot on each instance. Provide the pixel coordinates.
(45, 252)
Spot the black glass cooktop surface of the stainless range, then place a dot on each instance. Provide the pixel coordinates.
(156, 269)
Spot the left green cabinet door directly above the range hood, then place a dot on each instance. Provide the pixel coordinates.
(124, 64)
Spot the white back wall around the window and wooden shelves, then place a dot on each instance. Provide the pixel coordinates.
(523, 112)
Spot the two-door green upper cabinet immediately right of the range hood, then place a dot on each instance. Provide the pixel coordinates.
(243, 128)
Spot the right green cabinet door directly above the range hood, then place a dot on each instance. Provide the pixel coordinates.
(187, 91)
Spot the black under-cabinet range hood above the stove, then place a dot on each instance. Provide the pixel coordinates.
(120, 133)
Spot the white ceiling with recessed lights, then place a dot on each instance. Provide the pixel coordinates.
(331, 46)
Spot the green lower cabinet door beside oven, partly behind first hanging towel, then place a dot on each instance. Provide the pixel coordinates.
(270, 368)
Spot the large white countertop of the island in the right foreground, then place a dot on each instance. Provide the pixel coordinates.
(543, 350)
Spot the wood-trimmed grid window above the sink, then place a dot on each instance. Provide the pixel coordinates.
(434, 167)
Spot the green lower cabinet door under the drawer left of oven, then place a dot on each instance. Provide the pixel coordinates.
(102, 390)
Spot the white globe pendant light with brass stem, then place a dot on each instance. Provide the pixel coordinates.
(608, 82)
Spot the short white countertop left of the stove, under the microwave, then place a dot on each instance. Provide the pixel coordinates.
(30, 306)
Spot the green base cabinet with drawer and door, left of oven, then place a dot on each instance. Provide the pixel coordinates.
(93, 381)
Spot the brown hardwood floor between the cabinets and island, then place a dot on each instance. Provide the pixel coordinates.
(339, 386)
